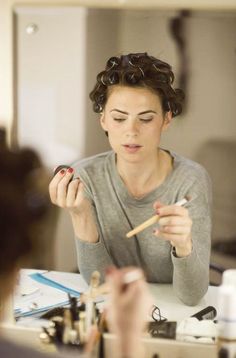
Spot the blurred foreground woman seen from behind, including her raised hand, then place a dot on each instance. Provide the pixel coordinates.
(23, 204)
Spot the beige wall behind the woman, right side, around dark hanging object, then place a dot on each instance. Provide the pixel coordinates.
(212, 64)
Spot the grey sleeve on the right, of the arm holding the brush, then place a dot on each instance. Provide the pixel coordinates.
(191, 273)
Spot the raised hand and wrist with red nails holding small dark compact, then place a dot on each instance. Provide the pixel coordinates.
(69, 195)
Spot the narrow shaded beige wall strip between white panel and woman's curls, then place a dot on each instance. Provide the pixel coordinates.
(102, 43)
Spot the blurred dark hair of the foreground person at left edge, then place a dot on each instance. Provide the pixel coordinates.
(22, 204)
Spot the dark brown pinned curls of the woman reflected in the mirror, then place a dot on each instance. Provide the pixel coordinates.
(138, 70)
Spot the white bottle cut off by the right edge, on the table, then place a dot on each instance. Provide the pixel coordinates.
(226, 308)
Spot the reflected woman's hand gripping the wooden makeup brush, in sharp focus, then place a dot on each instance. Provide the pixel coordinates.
(175, 226)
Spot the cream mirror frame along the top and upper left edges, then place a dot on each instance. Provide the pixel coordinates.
(7, 61)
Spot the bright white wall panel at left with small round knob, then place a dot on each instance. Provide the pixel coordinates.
(51, 68)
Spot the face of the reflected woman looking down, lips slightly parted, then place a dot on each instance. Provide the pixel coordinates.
(134, 120)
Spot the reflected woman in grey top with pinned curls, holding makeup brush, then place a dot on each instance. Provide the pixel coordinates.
(114, 192)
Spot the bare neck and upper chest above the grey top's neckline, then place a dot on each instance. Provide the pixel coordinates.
(141, 178)
